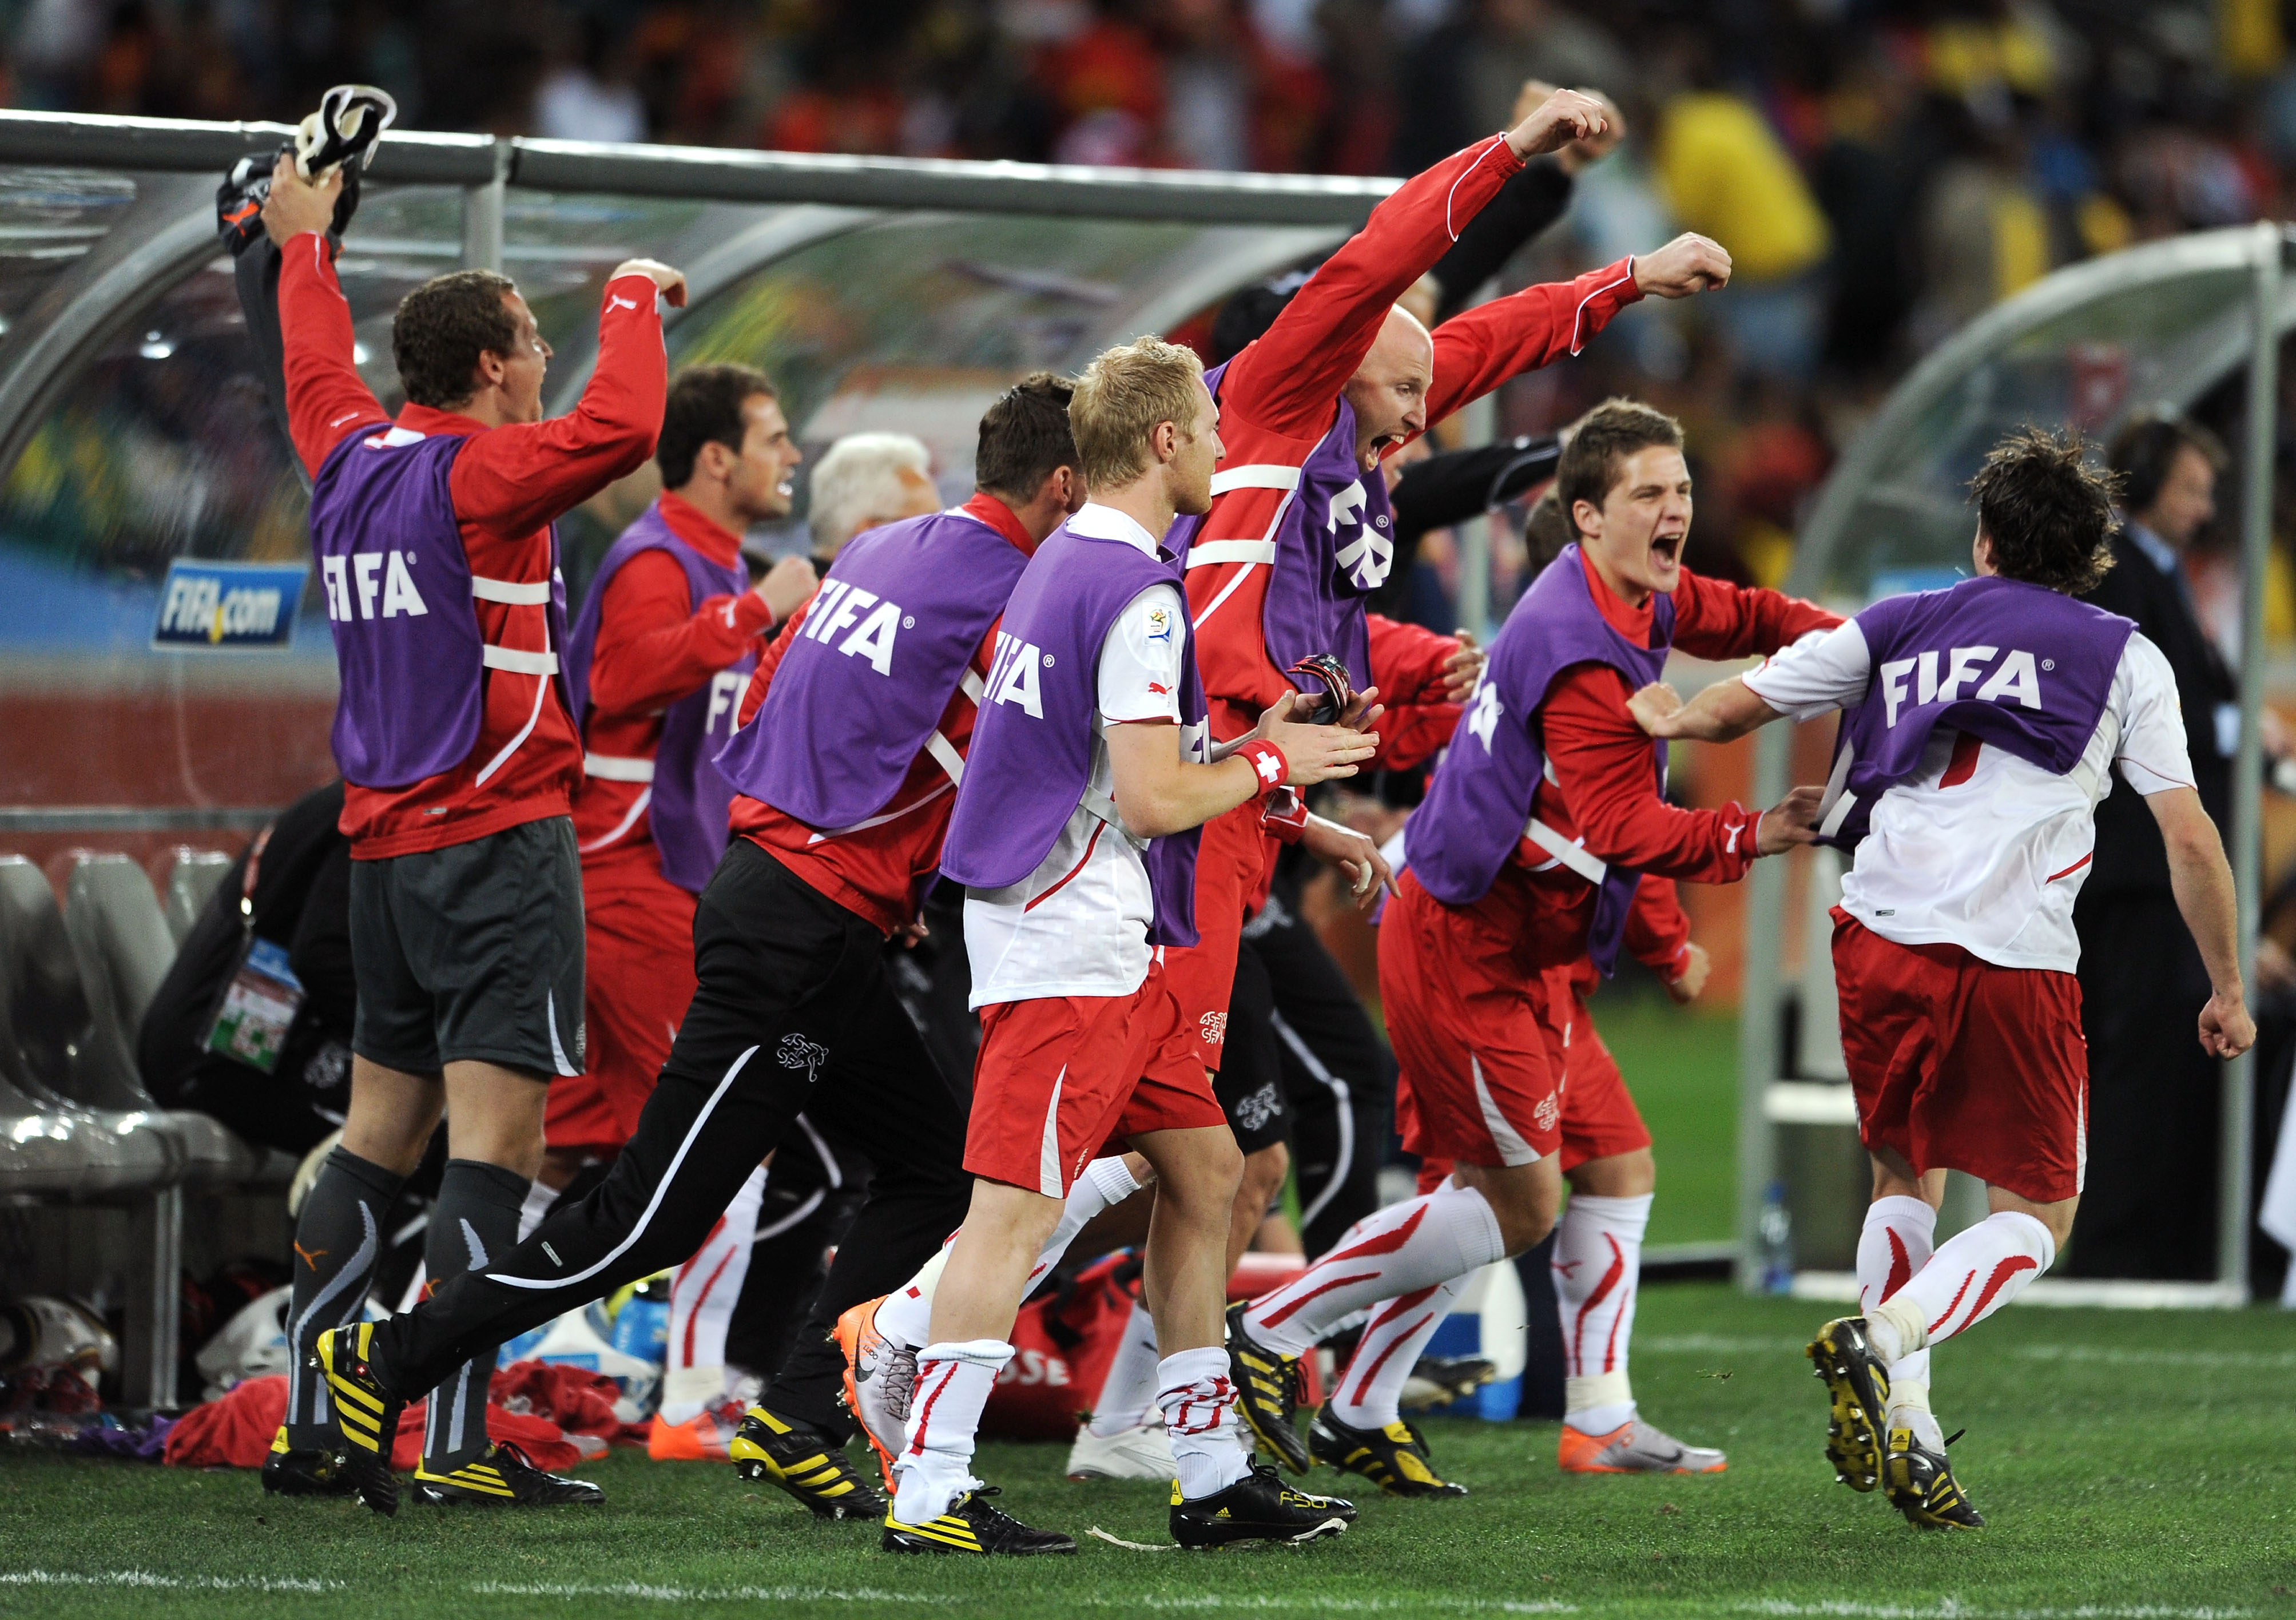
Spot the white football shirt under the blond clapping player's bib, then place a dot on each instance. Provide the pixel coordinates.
(1078, 926)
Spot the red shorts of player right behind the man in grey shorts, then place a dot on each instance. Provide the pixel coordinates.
(639, 979)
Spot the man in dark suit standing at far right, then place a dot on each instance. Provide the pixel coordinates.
(2150, 1204)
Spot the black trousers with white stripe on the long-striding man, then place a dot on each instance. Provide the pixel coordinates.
(796, 1013)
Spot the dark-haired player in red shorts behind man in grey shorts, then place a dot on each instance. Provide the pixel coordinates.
(656, 669)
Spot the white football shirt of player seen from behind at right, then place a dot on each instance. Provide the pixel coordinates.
(1994, 862)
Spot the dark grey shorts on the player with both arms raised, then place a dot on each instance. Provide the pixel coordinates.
(472, 953)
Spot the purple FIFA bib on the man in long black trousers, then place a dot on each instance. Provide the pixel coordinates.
(862, 690)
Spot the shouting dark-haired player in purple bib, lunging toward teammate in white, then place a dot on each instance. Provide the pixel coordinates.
(1526, 857)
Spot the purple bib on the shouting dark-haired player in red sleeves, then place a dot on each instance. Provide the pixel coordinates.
(1480, 804)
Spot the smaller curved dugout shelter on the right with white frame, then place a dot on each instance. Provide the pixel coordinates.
(2162, 325)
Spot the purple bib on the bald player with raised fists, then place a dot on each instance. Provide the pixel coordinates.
(1333, 545)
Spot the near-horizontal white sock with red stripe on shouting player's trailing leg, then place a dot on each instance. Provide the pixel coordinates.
(1399, 1249)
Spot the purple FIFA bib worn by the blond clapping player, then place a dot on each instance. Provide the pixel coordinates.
(1032, 756)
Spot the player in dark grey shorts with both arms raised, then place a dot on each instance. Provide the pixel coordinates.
(460, 761)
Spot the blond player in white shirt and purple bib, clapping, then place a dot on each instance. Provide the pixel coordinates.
(1076, 834)
